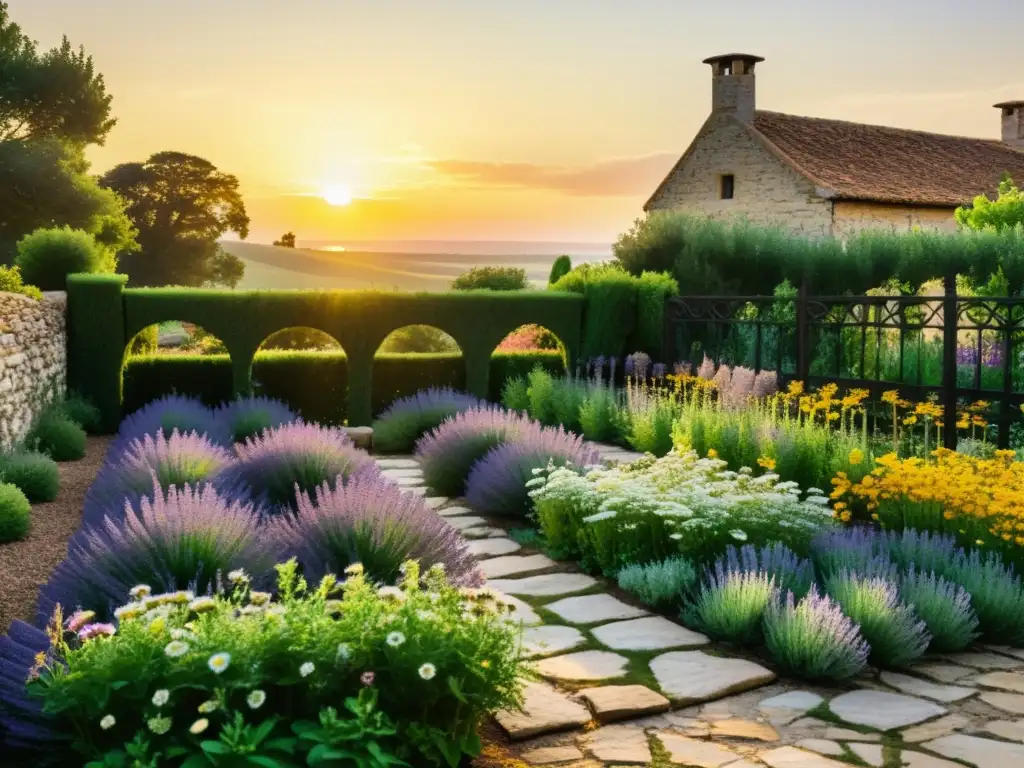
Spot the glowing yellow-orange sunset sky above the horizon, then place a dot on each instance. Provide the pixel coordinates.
(491, 120)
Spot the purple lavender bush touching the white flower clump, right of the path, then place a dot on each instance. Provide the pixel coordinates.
(497, 483)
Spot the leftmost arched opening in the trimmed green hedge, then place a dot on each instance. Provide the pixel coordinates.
(175, 357)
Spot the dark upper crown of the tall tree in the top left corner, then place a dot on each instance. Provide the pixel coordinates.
(57, 95)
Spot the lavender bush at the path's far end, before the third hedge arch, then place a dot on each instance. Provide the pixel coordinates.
(408, 419)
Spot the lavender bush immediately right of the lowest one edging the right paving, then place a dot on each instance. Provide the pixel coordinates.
(895, 633)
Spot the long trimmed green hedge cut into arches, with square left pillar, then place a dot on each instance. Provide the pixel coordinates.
(104, 318)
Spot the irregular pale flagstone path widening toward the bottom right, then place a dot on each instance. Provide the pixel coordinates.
(621, 687)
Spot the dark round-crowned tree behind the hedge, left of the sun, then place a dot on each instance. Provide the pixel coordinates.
(182, 205)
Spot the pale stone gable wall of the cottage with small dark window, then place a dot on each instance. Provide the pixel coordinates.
(766, 191)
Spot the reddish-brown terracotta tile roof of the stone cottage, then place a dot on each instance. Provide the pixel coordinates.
(890, 165)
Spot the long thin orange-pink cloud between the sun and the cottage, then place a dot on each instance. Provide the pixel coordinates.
(617, 178)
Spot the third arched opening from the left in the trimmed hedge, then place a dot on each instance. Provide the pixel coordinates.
(415, 358)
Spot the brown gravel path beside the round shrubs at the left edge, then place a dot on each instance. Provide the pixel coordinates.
(27, 565)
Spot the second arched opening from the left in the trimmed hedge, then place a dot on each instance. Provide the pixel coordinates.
(308, 369)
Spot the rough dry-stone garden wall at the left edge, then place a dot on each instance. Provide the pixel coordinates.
(33, 360)
